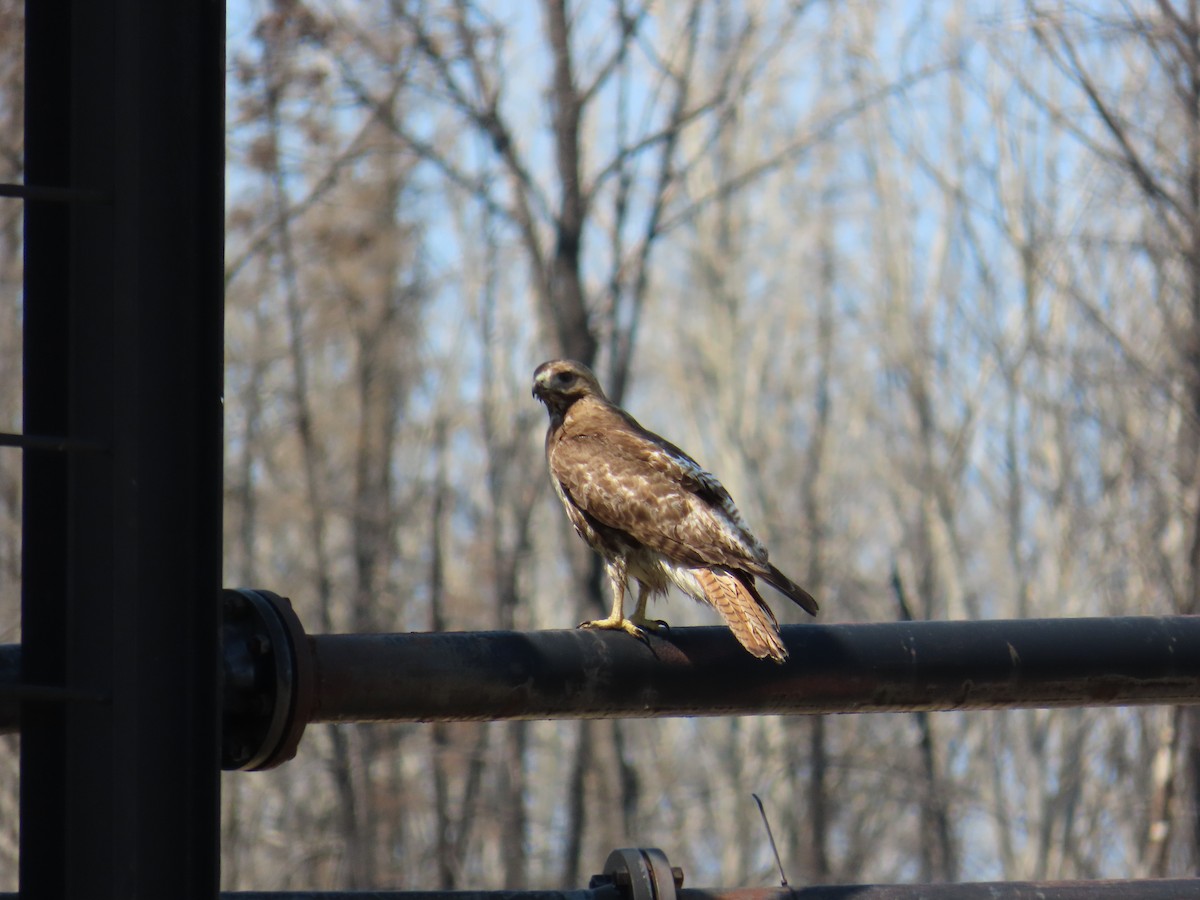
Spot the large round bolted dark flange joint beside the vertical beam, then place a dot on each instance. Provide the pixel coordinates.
(268, 671)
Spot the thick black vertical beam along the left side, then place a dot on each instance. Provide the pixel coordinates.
(123, 547)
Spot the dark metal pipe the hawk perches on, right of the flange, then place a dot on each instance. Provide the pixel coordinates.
(701, 671)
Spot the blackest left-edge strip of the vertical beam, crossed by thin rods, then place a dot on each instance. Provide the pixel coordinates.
(45, 476)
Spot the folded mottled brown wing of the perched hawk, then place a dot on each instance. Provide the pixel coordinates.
(657, 495)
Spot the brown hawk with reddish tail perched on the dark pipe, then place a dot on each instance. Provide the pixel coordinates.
(652, 513)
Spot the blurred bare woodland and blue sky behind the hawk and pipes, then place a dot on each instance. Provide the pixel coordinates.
(920, 281)
